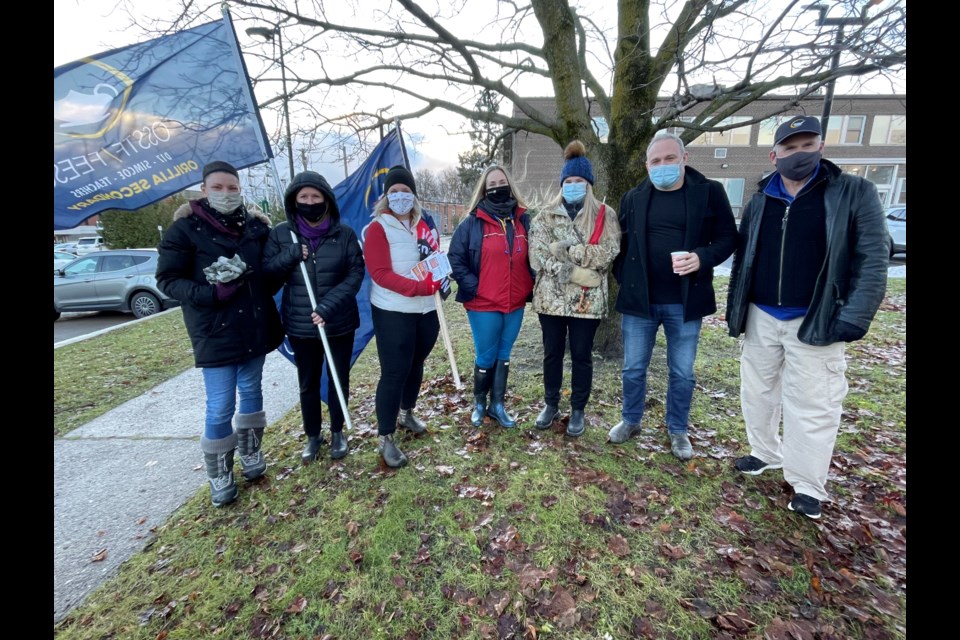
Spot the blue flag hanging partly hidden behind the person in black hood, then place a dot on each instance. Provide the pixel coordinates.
(356, 196)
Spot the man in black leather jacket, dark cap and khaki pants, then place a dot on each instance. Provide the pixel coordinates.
(808, 275)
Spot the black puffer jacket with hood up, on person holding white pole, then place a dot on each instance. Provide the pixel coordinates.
(336, 268)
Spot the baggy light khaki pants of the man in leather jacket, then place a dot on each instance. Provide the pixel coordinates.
(807, 384)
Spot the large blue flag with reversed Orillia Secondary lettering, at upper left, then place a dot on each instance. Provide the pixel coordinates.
(135, 125)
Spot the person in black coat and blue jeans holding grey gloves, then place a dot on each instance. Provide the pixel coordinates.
(232, 321)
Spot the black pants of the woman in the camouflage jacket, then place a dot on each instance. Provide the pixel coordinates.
(581, 332)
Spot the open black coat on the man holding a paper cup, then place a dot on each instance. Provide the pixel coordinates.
(710, 229)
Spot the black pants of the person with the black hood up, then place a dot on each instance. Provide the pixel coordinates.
(308, 354)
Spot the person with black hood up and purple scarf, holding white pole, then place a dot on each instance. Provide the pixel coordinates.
(335, 269)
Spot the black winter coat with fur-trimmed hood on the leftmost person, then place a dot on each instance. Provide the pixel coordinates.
(229, 332)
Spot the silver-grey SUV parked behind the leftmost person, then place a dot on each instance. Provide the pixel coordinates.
(120, 280)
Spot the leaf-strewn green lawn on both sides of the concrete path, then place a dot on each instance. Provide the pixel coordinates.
(494, 533)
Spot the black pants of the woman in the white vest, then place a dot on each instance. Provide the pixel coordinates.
(404, 340)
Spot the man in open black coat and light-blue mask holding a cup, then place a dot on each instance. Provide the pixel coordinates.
(676, 227)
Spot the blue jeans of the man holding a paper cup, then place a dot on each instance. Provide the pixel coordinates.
(639, 336)
